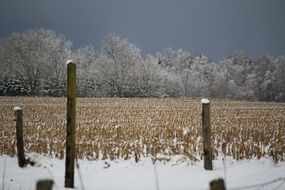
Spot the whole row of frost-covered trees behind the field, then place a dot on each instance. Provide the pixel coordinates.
(32, 63)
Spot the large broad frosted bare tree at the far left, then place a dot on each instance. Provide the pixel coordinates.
(36, 58)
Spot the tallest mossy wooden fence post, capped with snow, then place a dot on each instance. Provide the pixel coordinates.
(70, 125)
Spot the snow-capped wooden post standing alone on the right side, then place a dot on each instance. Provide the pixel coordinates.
(206, 134)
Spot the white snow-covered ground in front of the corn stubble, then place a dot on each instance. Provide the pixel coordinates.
(128, 175)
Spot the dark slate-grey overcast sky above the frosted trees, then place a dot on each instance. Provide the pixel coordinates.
(213, 27)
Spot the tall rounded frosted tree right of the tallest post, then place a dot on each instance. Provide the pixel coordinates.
(116, 66)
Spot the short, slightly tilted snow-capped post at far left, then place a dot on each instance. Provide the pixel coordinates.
(19, 135)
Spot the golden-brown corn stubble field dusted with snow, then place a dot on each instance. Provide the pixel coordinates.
(135, 128)
